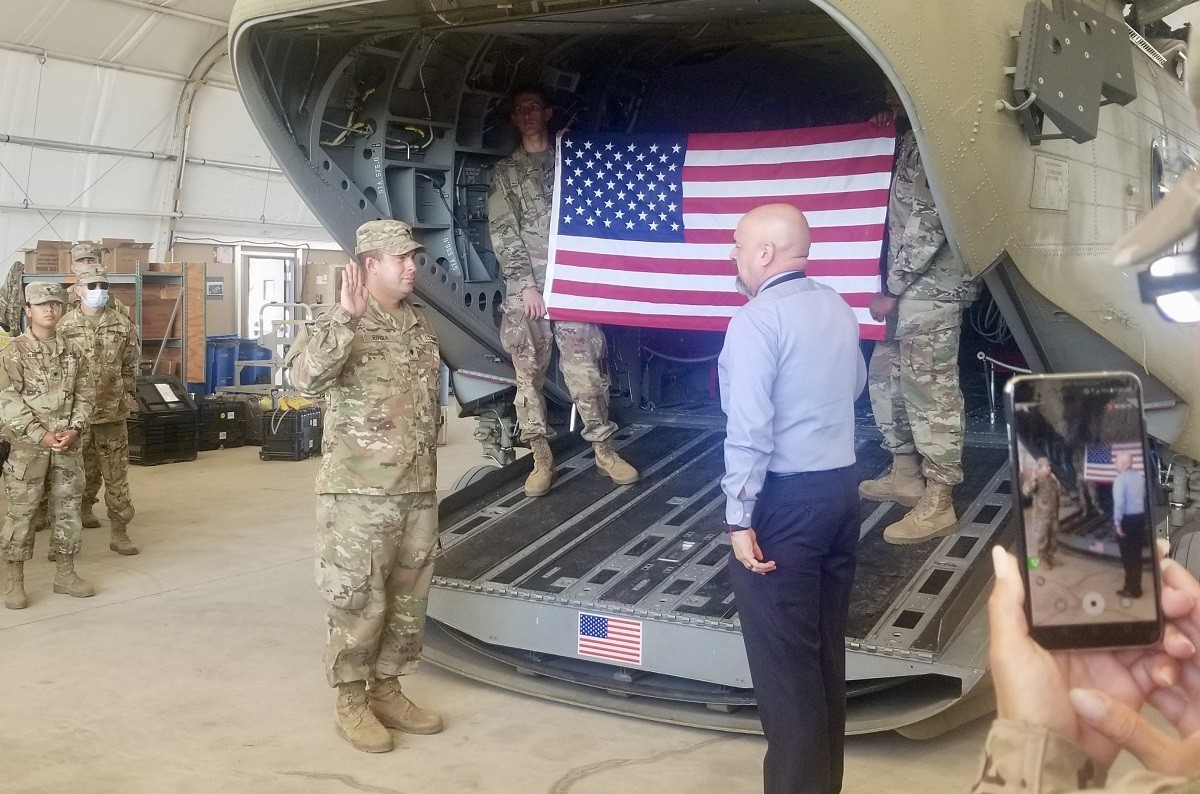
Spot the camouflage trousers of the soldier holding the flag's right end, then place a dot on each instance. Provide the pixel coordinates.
(914, 383)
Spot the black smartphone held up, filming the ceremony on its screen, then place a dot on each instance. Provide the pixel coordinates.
(1083, 494)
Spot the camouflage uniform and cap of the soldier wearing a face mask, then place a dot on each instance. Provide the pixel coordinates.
(112, 345)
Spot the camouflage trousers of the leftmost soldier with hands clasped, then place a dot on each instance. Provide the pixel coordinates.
(29, 476)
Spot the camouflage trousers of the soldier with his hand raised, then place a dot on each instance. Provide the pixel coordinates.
(375, 564)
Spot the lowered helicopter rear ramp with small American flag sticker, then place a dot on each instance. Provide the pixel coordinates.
(519, 578)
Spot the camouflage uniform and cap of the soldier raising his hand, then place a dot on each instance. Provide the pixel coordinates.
(377, 510)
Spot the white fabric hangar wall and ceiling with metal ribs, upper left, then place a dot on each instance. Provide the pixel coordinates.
(109, 106)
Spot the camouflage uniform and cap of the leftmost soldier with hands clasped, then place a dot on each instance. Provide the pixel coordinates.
(47, 389)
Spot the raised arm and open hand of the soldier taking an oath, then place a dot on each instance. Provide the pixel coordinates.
(321, 351)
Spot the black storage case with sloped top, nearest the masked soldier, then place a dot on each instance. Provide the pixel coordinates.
(163, 430)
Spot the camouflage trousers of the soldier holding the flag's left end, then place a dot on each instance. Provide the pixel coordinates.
(581, 351)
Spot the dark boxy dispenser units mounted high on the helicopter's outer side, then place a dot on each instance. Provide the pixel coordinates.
(1070, 61)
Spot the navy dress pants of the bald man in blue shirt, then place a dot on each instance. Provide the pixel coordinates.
(794, 624)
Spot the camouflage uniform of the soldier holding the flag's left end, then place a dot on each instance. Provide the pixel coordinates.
(519, 209)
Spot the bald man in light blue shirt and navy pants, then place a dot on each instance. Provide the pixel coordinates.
(790, 372)
